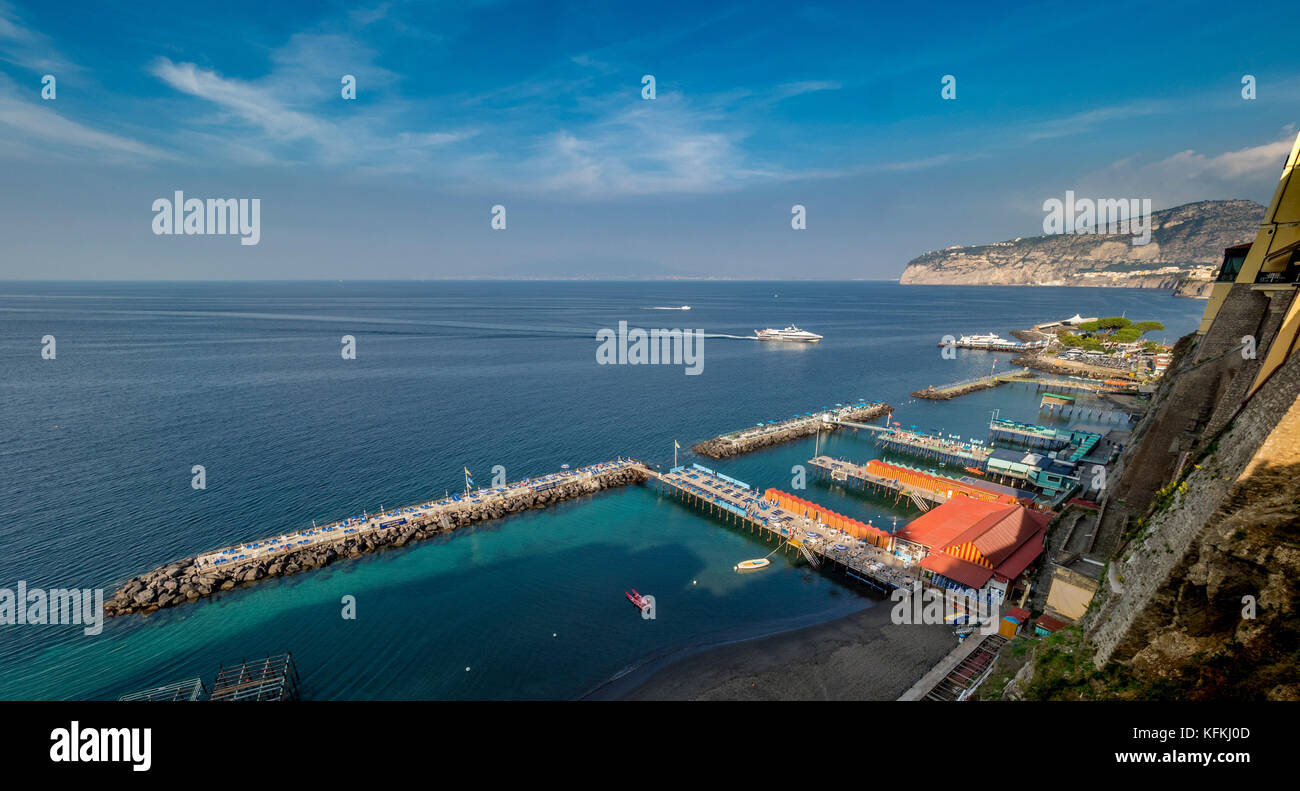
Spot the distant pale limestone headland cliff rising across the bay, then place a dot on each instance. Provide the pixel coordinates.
(1188, 236)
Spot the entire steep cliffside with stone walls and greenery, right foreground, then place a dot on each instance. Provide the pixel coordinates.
(1201, 599)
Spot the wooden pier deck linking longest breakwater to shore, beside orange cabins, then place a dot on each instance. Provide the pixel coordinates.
(736, 504)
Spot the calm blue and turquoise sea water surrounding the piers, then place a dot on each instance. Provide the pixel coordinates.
(248, 381)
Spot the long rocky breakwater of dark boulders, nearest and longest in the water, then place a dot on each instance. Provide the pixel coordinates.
(184, 581)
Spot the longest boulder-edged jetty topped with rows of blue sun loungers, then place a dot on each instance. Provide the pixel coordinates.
(224, 569)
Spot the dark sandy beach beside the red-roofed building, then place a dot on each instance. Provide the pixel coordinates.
(861, 656)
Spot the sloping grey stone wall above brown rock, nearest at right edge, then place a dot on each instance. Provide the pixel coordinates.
(1181, 583)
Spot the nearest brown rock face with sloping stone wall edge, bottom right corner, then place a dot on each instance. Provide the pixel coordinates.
(1206, 595)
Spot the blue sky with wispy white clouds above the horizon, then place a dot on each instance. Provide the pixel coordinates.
(538, 107)
